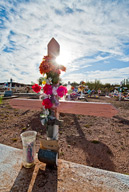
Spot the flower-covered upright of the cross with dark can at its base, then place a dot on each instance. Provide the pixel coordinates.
(50, 93)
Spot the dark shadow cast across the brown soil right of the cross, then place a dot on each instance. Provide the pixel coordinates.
(97, 154)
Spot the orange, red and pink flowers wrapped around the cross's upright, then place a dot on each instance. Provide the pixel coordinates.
(51, 91)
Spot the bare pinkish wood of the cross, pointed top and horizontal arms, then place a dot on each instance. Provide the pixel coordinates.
(73, 107)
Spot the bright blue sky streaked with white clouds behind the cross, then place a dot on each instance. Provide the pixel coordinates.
(93, 37)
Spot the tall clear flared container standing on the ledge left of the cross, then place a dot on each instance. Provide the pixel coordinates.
(29, 153)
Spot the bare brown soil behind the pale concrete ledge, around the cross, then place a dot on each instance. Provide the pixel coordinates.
(94, 141)
